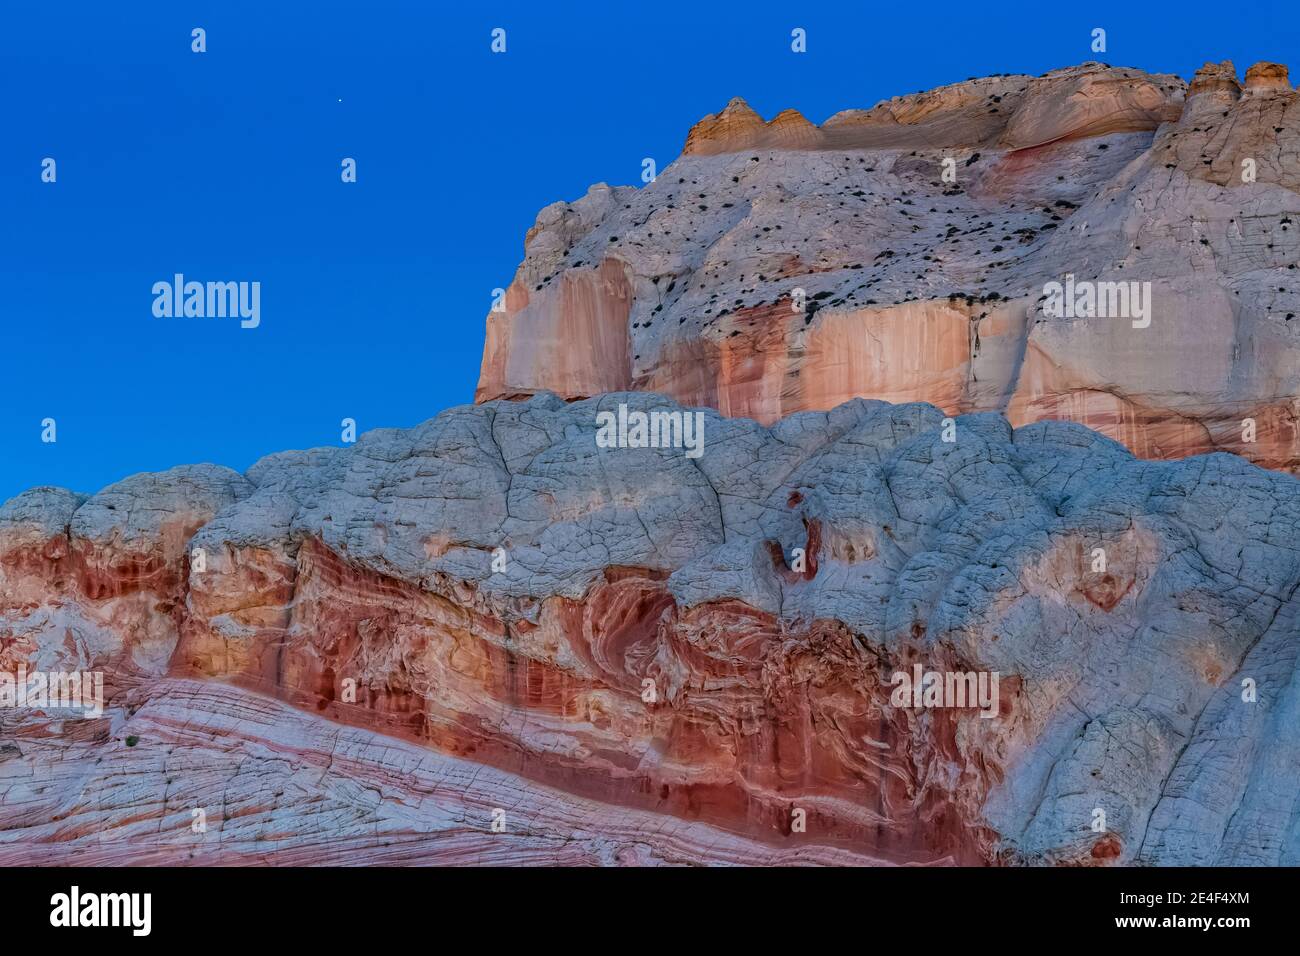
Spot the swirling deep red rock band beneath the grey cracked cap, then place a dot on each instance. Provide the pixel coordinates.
(749, 721)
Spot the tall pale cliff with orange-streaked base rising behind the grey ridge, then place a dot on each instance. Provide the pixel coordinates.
(782, 267)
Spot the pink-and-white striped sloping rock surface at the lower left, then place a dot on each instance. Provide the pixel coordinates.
(280, 788)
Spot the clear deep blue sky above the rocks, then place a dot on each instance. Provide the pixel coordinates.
(226, 166)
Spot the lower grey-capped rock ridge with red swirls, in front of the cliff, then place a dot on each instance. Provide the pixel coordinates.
(647, 657)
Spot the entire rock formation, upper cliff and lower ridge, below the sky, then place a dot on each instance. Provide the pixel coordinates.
(580, 622)
